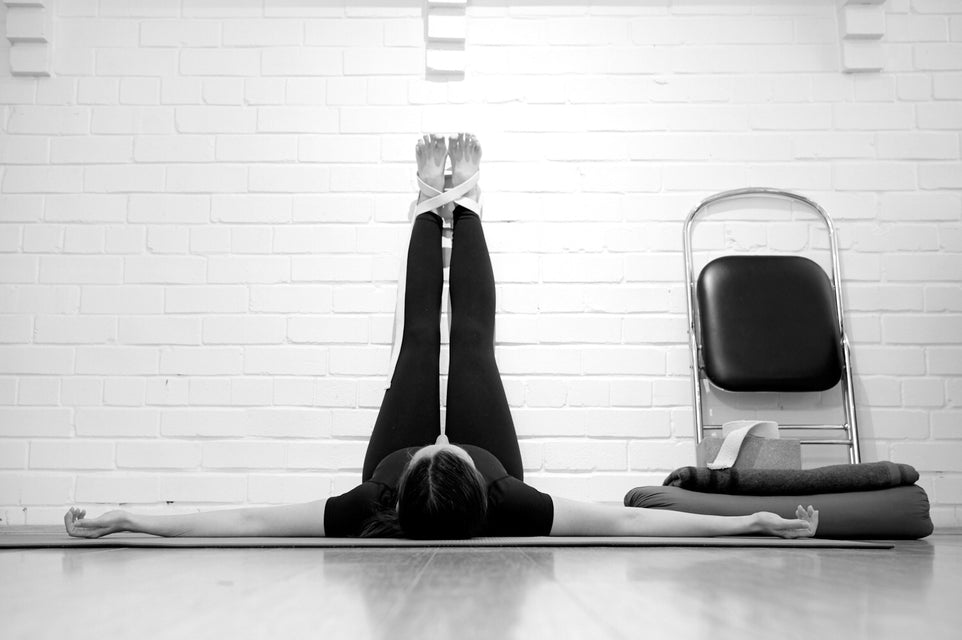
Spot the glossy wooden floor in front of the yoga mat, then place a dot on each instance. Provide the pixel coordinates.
(913, 592)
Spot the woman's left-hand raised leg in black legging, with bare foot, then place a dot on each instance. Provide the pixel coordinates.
(410, 413)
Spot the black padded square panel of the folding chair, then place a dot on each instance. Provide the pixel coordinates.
(768, 323)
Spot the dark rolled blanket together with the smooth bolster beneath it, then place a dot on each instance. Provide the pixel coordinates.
(877, 500)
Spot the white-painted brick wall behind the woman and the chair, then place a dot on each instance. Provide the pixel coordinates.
(202, 213)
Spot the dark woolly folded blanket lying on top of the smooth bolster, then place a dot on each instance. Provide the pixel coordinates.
(866, 476)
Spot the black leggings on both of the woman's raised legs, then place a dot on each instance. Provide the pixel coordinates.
(477, 409)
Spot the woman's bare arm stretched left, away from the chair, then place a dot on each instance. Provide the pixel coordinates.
(295, 520)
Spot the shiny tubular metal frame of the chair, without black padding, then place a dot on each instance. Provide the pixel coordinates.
(850, 426)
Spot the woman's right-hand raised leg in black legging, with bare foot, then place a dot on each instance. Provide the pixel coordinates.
(477, 409)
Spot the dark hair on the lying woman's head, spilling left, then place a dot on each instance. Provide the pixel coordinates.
(439, 497)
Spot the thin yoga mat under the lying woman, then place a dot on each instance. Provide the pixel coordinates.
(12, 539)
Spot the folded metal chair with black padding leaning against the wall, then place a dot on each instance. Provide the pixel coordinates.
(772, 323)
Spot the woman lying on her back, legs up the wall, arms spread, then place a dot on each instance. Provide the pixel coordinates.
(416, 483)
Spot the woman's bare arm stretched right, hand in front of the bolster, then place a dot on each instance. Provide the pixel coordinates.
(572, 518)
